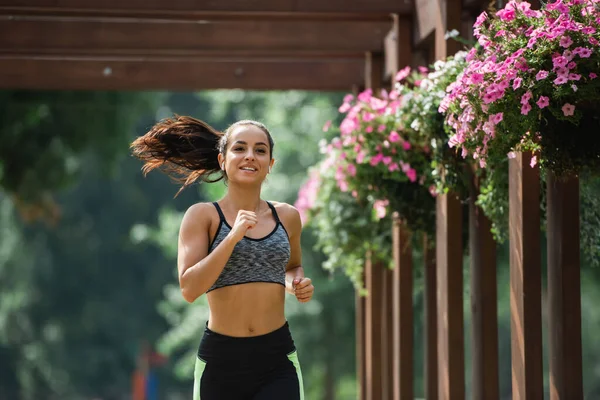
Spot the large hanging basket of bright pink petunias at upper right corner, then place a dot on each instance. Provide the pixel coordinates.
(531, 85)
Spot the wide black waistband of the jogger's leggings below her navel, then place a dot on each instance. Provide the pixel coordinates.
(218, 347)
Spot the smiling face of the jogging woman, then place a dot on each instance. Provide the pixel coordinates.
(248, 155)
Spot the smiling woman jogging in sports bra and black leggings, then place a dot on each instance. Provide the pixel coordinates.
(242, 251)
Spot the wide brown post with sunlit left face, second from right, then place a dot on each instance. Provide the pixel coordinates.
(525, 279)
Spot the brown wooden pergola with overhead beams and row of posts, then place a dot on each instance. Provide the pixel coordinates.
(340, 45)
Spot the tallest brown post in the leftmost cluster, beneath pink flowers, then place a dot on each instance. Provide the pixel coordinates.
(403, 313)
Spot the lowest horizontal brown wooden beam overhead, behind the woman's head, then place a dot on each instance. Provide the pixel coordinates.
(173, 74)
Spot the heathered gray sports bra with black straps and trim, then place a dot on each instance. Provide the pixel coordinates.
(253, 260)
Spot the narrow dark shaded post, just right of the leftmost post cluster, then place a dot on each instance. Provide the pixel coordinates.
(430, 372)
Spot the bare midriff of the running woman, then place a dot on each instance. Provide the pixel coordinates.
(249, 309)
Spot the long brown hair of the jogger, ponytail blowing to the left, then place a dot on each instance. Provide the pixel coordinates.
(187, 149)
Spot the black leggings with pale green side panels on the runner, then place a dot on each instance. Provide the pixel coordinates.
(255, 368)
